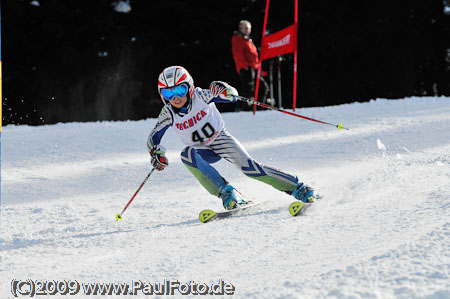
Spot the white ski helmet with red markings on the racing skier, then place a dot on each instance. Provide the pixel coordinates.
(173, 76)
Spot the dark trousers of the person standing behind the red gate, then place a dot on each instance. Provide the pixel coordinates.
(247, 80)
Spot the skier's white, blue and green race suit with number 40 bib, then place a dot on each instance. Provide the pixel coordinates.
(203, 130)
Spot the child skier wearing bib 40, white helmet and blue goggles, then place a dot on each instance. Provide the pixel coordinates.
(193, 115)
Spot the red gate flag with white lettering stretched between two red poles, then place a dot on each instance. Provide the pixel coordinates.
(279, 43)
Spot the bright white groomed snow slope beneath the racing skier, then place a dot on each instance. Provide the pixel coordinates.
(382, 230)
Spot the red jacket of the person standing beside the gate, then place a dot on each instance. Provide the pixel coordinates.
(245, 53)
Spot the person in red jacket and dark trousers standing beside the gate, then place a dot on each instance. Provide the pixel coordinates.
(246, 59)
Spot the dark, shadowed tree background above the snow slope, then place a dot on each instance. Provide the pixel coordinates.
(80, 60)
